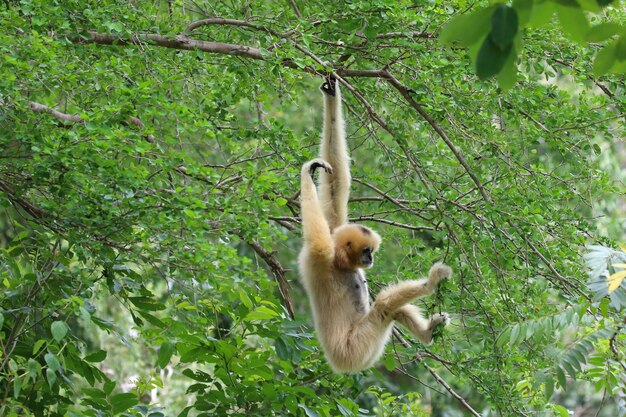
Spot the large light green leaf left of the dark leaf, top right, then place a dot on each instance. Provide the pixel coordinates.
(467, 29)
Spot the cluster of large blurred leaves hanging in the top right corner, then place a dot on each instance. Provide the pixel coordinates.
(494, 35)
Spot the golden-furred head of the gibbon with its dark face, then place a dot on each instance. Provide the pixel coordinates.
(355, 246)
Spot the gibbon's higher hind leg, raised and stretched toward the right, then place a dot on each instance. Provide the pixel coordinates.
(392, 298)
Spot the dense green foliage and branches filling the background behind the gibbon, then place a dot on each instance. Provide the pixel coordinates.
(149, 210)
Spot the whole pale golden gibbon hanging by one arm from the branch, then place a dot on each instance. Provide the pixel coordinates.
(352, 333)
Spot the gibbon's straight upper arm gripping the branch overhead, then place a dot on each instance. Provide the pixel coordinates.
(335, 188)
